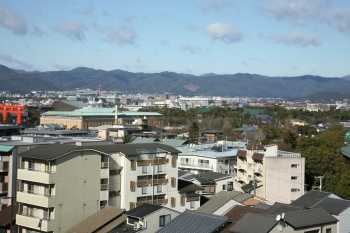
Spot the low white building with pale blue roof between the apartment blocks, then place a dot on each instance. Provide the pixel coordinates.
(198, 162)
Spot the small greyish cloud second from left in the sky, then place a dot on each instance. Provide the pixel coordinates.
(74, 30)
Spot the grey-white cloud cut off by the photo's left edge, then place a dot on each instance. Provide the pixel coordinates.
(13, 21)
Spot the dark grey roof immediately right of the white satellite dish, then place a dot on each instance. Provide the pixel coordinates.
(309, 217)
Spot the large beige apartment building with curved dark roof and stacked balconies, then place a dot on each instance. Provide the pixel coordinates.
(61, 185)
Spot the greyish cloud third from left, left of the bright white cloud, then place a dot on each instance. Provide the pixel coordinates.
(123, 34)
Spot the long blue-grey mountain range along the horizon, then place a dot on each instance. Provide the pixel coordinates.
(228, 85)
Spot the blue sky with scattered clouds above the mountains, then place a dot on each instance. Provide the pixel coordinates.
(267, 37)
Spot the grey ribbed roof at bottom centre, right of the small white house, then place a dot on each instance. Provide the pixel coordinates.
(195, 222)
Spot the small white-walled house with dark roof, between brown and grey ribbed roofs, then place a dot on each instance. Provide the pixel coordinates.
(146, 218)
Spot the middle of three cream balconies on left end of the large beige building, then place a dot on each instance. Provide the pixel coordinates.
(36, 199)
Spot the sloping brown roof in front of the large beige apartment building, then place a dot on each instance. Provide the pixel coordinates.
(97, 220)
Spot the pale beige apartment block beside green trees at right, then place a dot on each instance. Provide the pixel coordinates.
(278, 175)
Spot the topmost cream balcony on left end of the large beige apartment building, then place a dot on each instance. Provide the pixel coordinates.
(36, 176)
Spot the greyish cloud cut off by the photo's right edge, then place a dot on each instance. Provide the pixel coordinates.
(340, 18)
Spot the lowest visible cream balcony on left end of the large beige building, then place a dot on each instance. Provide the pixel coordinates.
(34, 223)
